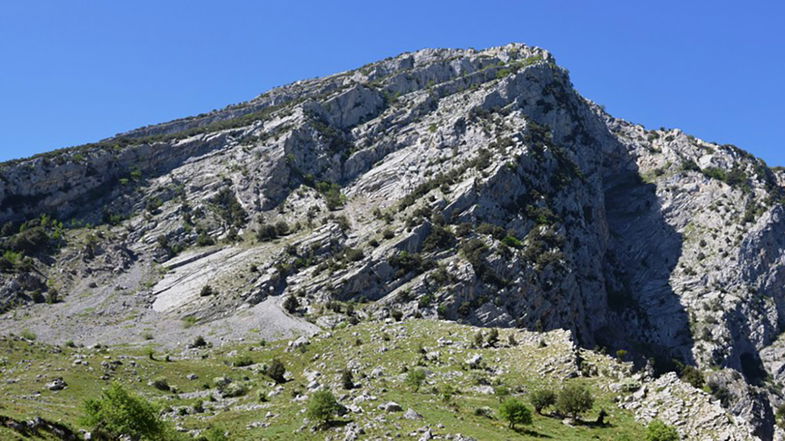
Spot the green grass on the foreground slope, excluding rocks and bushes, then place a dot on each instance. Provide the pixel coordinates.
(517, 367)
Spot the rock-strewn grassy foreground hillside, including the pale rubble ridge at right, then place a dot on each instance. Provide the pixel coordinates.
(457, 397)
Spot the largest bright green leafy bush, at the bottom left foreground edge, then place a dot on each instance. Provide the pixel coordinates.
(119, 412)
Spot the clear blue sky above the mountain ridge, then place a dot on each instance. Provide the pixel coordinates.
(77, 71)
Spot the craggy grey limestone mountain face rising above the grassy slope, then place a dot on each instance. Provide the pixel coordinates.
(473, 185)
